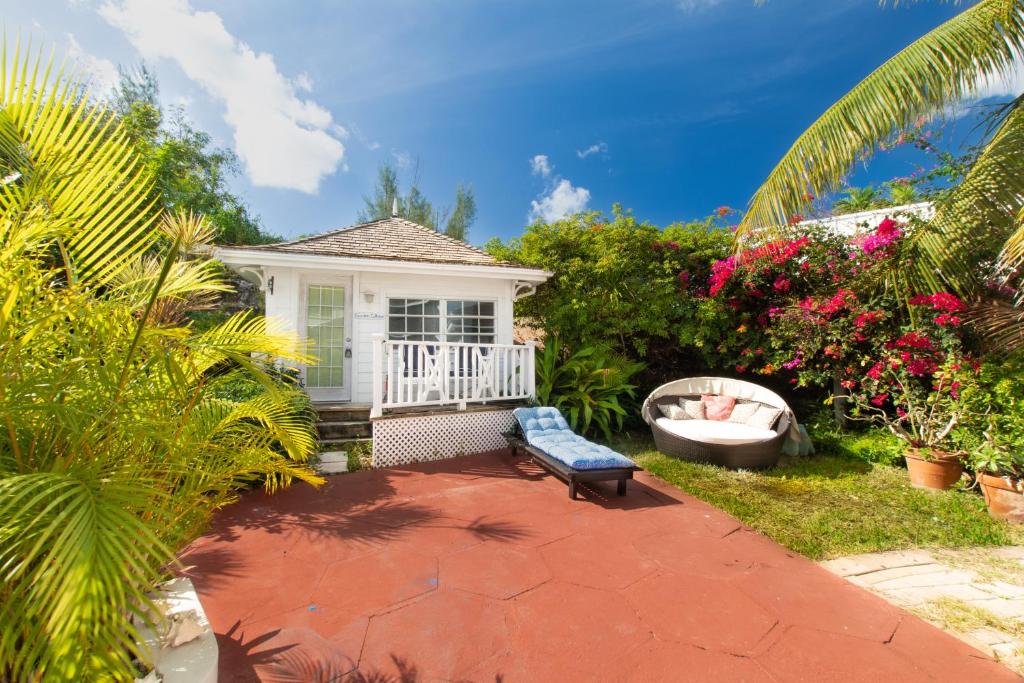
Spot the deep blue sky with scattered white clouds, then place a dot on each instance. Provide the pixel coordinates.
(671, 108)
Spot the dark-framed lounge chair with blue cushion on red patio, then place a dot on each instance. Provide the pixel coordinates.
(544, 435)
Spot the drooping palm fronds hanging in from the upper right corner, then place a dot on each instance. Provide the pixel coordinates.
(941, 69)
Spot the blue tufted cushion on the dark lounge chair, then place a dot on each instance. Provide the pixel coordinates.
(547, 431)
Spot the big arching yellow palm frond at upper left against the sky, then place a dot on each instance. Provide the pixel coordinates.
(72, 158)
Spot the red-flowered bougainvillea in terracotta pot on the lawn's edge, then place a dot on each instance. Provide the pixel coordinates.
(915, 389)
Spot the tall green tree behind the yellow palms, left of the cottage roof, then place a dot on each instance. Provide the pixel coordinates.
(189, 173)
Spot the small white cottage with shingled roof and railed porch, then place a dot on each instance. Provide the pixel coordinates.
(400, 317)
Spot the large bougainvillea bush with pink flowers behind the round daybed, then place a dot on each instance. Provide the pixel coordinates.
(805, 307)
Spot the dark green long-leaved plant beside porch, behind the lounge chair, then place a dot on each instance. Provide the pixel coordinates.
(591, 387)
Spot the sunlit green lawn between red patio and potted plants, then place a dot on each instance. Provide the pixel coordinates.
(833, 505)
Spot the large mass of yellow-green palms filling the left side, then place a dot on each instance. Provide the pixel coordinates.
(119, 434)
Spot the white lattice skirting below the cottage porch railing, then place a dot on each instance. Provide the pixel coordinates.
(414, 440)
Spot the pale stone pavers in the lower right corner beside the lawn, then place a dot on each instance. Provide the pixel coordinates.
(916, 579)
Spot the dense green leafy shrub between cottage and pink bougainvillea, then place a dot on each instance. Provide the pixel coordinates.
(623, 283)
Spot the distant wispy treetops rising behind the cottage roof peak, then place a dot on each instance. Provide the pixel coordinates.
(415, 206)
